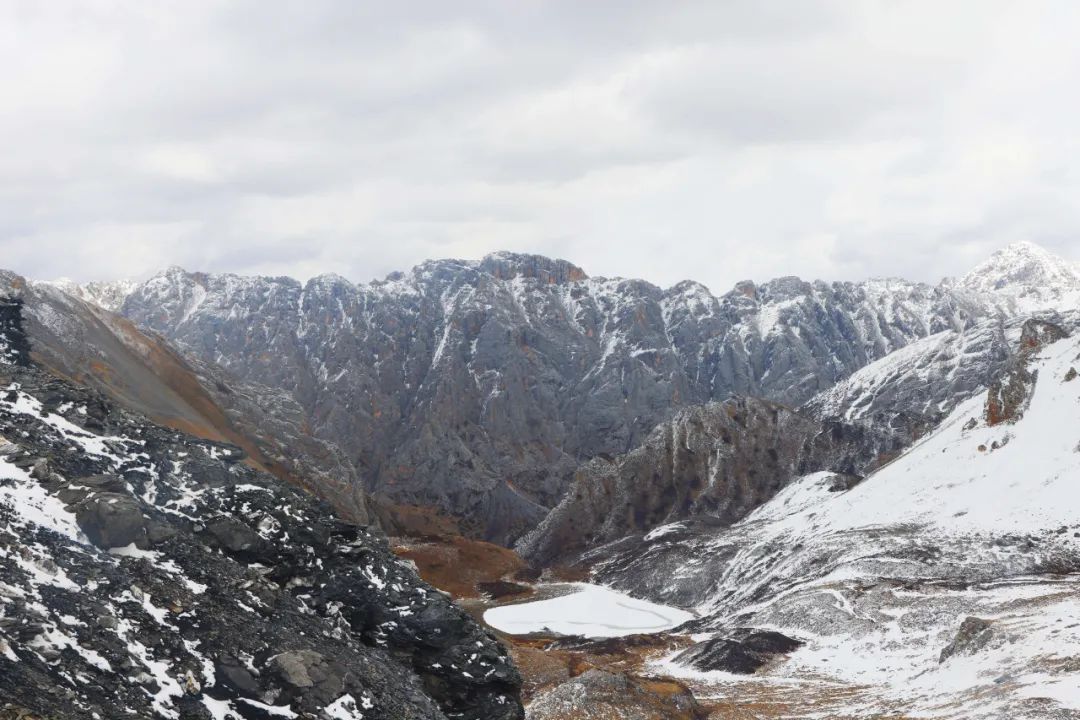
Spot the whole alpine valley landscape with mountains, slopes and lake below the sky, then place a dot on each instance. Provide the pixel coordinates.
(507, 490)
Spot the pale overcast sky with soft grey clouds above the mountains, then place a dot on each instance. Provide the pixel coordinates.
(667, 141)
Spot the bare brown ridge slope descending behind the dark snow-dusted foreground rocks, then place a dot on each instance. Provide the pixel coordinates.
(78, 341)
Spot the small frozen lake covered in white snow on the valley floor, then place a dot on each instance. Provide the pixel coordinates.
(589, 610)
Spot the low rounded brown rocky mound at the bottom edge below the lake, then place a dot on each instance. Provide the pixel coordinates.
(602, 696)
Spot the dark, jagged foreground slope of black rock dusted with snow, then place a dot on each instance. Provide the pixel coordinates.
(148, 574)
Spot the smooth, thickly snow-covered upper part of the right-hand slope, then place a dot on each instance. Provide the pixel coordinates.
(957, 479)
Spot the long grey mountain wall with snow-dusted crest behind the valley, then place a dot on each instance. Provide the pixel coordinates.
(478, 388)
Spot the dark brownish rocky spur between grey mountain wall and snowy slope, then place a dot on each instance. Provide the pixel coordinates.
(719, 461)
